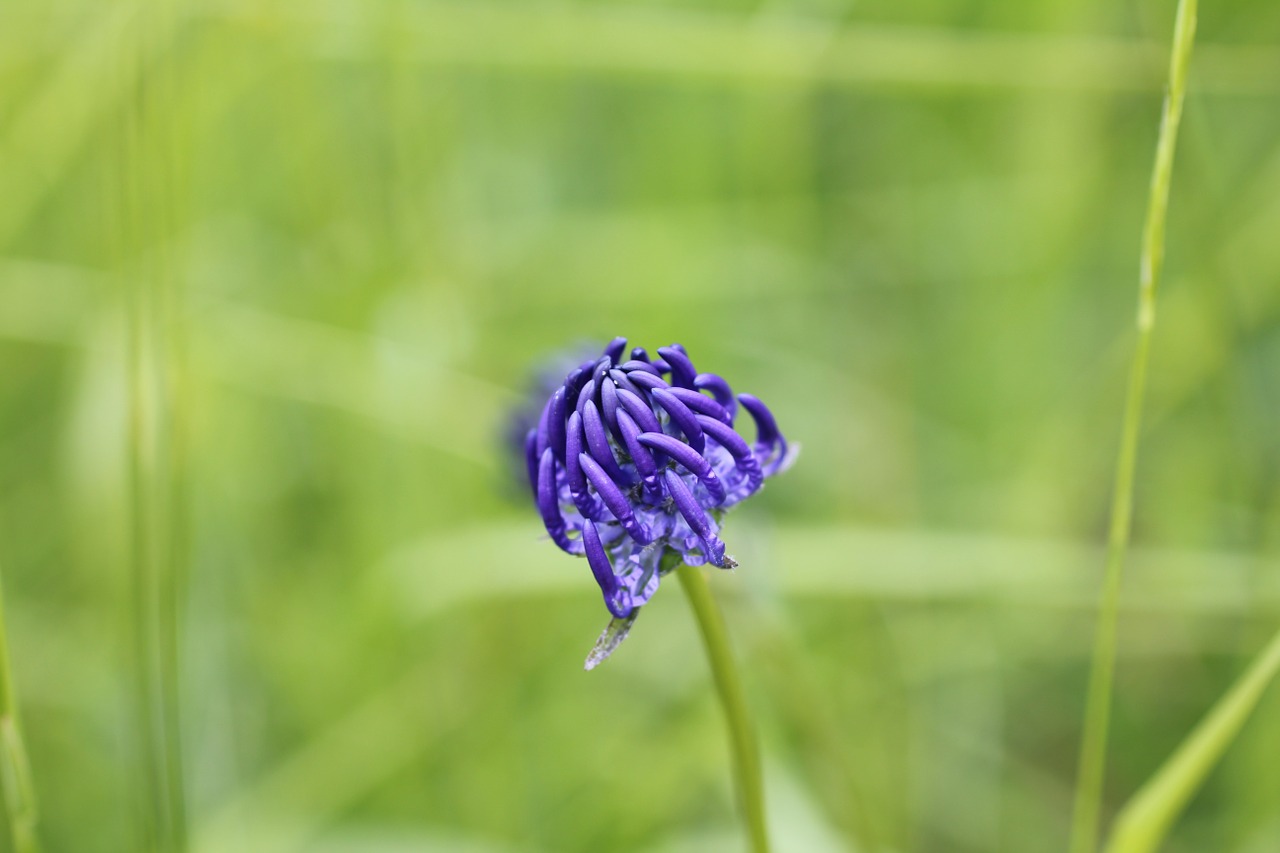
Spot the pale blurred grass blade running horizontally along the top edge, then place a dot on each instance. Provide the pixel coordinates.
(707, 47)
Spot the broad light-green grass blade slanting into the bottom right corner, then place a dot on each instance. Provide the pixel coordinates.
(1145, 822)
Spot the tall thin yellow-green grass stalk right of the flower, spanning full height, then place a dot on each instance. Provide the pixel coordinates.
(1089, 790)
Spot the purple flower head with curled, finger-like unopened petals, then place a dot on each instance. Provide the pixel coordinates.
(638, 459)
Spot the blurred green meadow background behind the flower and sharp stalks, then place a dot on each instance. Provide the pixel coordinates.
(273, 273)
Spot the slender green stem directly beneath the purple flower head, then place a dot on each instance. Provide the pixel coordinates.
(748, 777)
